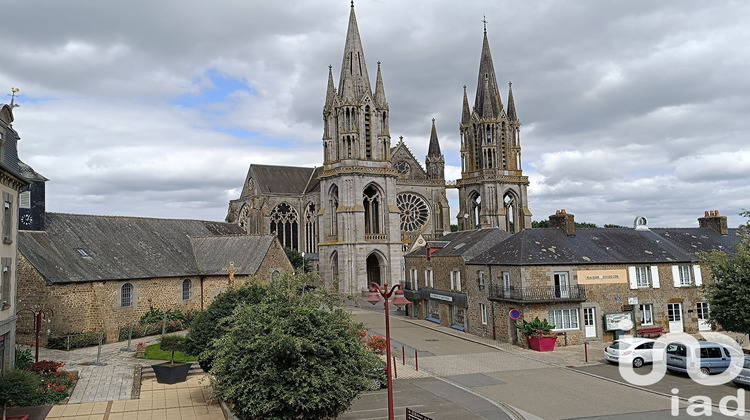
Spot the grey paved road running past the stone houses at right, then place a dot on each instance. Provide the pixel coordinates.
(470, 380)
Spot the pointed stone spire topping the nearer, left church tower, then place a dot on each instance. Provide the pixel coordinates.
(354, 81)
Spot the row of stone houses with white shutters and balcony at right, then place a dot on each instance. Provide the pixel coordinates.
(581, 280)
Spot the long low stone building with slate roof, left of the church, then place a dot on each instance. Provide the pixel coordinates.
(98, 273)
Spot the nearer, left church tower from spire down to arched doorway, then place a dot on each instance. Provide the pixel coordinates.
(359, 235)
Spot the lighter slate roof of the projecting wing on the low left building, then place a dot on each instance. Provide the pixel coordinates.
(213, 253)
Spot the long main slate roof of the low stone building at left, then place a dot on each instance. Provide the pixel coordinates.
(116, 247)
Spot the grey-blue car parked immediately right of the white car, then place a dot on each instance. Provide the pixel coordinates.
(709, 357)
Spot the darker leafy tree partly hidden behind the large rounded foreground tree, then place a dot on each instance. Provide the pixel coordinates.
(208, 326)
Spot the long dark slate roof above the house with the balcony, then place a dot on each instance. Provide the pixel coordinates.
(604, 246)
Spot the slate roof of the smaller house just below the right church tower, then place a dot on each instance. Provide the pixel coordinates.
(467, 243)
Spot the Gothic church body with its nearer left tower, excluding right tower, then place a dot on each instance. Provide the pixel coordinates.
(368, 201)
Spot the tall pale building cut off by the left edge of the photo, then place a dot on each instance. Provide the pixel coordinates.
(11, 183)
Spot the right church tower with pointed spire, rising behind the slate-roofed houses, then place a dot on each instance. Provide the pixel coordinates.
(492, 188)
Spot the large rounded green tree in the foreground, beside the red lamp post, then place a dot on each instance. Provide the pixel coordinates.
(295, 355)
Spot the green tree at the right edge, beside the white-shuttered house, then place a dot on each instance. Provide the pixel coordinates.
(728, 295)
